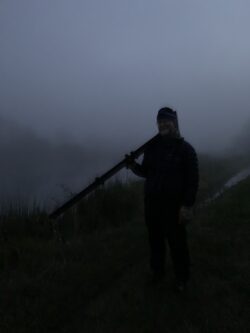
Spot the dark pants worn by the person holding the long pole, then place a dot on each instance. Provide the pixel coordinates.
(161, 218)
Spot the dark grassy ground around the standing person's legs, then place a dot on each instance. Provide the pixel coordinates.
(96, 282)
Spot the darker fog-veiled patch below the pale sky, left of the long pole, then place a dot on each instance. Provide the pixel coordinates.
(36, 170)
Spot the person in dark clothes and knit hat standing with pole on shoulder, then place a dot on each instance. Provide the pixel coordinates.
(170, 169)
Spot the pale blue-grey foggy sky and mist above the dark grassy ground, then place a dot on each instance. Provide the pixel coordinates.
(81, 83)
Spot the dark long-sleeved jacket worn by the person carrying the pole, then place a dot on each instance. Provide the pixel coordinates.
(170, 169)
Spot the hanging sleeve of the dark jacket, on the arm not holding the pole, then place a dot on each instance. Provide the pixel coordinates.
(191, 176)
